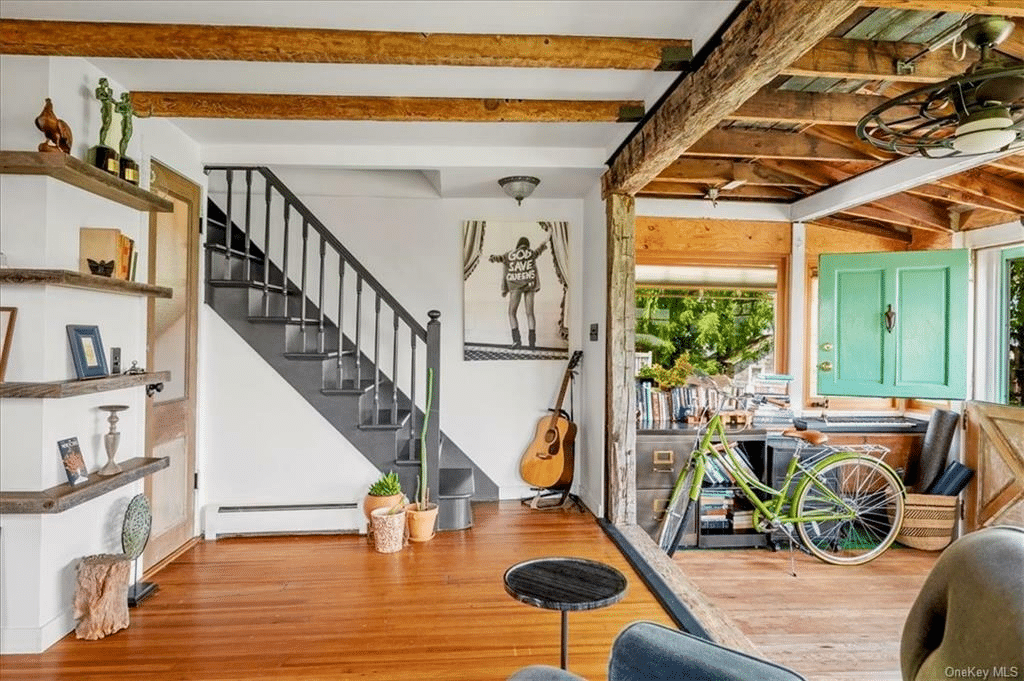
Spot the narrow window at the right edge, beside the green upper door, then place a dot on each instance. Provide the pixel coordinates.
(1012, 328)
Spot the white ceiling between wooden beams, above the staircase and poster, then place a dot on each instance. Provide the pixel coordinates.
(470, 157)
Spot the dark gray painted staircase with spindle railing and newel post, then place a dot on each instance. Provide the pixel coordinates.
(334, 333)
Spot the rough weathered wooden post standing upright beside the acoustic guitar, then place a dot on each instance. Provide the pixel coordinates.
(620, 409)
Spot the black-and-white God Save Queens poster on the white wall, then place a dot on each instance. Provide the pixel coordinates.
(516, 290)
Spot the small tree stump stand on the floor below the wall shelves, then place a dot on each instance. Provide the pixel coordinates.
(102, 597)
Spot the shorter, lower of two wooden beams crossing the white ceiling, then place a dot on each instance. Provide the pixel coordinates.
(324, 108)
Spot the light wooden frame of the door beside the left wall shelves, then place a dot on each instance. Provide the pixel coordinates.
(190, 193)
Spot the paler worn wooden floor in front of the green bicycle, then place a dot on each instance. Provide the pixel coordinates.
(829, 623)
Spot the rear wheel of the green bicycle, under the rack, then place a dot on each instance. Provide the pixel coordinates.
(850, 510)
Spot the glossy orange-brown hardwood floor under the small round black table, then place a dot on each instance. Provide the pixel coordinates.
(330, 608)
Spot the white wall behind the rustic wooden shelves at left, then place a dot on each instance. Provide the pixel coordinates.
(40, 220)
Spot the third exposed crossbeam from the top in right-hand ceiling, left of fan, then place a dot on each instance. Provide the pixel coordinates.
(771, 106)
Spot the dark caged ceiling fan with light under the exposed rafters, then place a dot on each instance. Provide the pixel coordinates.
(979, 112)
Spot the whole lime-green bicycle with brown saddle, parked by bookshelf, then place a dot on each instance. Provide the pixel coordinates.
(846, 505)
